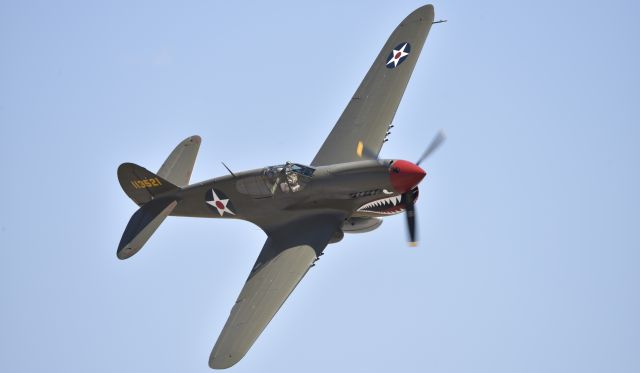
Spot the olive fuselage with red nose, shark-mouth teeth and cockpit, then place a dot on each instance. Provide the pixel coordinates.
(370, 188)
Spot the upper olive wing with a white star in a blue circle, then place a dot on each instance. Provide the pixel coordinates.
(362, 128)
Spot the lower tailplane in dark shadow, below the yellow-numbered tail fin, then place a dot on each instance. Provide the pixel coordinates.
(142, 225)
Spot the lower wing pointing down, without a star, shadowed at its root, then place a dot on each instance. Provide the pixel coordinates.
(287, 255)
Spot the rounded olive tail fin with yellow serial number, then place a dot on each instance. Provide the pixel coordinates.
(142, 185)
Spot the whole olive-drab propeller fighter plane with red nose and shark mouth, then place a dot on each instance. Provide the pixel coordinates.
(302, 208)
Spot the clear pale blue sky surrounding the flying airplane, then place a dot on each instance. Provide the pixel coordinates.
(529, 216)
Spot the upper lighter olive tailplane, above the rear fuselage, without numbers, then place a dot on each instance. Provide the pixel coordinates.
(179, 165)
